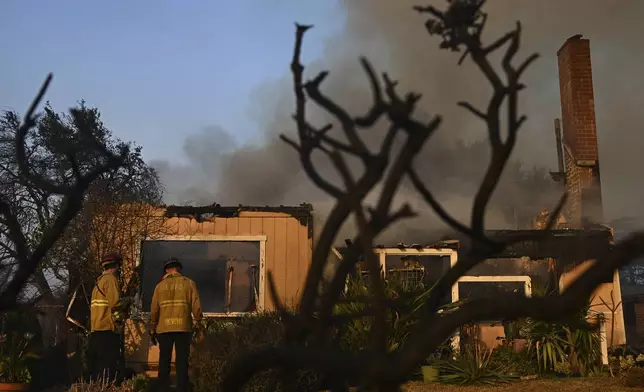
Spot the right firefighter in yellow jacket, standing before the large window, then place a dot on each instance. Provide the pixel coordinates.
(175, 307)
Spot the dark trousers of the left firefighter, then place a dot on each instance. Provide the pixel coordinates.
(105, 351)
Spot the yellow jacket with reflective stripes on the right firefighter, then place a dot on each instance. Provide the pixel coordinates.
(174, 303)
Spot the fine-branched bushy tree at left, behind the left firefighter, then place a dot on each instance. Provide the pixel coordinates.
(98, 227)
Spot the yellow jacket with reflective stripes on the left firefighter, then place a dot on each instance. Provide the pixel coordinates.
(105, 297)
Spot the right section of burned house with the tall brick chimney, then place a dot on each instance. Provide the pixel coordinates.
(553, 259)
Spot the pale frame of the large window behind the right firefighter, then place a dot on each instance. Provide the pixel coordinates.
(261, 297)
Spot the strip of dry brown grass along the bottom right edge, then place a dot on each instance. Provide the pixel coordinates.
(594, 384)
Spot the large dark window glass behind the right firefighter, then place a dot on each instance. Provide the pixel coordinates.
(226, 272)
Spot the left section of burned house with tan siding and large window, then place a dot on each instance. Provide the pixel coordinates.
(228, 252)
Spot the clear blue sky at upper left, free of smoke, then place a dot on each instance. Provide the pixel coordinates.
(158, 70)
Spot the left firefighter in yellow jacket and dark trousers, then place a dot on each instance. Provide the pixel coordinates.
(104, 339)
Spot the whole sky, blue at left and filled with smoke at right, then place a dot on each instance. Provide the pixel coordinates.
(180, 77)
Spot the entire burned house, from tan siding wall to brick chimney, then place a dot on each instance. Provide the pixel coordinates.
(229, 251)
